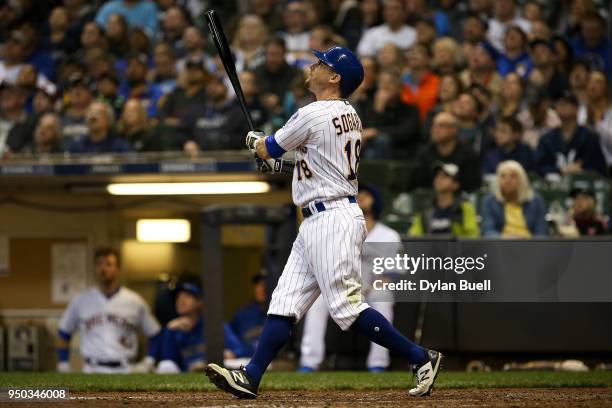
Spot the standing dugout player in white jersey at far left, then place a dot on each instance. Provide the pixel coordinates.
(108, 318)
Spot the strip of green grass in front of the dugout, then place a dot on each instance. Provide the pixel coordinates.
(295, 381)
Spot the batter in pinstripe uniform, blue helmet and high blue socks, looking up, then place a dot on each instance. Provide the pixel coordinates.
(325, 258)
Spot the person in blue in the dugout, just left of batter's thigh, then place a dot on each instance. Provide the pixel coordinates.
(248, 321)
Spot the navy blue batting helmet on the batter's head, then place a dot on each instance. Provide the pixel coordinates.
(345, 63)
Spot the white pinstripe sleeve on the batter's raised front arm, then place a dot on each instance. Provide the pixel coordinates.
(297, 129)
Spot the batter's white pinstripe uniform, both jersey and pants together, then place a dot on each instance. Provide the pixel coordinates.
(326, 255)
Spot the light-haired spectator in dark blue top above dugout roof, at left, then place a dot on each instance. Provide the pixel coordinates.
(100, 139)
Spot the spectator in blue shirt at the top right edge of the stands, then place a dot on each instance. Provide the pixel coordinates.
(592, 44)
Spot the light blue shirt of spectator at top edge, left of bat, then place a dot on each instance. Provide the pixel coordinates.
(138, 13)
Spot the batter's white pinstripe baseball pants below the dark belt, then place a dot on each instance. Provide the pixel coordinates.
(325, 259)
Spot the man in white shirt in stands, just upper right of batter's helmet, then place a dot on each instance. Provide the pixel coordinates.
(392, 31)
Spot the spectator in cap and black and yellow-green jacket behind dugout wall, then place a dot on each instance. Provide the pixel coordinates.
(449, 213)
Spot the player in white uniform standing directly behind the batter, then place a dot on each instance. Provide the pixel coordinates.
(315, 323)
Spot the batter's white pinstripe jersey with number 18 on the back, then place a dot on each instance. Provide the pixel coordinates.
(326, 136)
